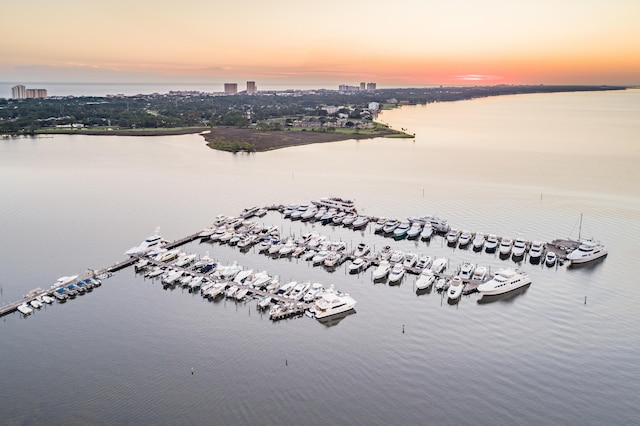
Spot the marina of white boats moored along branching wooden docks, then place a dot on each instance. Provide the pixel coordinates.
(156, 257)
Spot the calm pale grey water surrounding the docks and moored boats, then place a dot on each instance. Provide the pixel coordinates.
(515, 166)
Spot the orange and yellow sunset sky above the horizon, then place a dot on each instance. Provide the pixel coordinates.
(396, 44)
